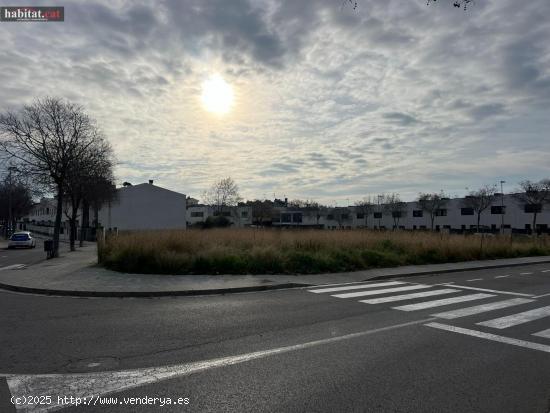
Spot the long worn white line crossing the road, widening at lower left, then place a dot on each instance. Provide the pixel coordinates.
(104, 383)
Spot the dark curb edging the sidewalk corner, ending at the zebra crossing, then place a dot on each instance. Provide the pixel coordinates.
(147, 294)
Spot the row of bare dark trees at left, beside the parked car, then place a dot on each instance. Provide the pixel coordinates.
(56, 147)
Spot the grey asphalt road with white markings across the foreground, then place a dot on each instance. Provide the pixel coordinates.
(465, 342)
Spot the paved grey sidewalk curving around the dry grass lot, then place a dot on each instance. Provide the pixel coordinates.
(76, 274)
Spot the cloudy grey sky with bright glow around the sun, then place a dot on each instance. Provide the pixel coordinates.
(330, 104)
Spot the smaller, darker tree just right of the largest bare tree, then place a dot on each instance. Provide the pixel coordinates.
(95, 165)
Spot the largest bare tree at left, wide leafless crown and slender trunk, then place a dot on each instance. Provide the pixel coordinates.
(44, 139)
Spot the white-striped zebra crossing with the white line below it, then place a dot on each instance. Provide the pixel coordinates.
(410, 297)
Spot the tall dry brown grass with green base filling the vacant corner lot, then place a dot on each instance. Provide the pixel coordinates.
(268, 251)
